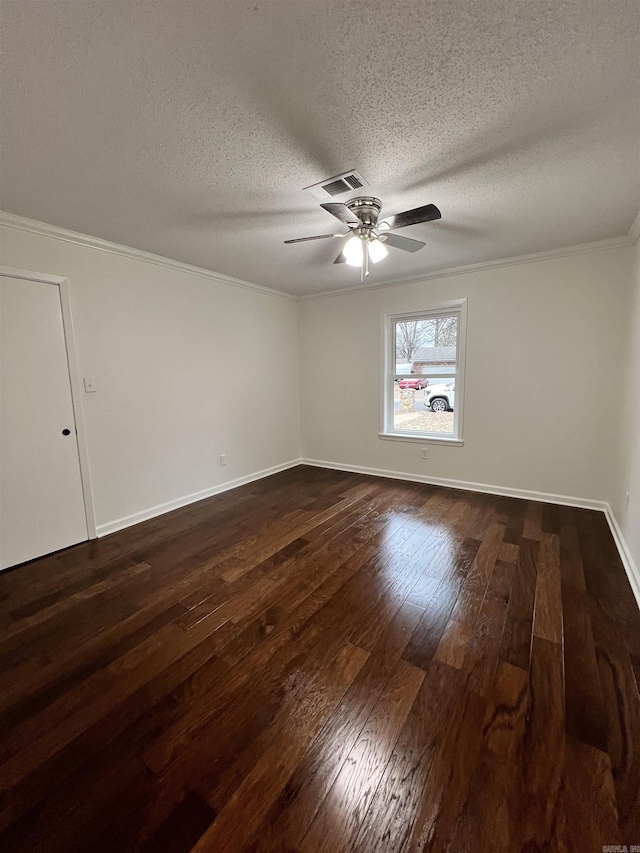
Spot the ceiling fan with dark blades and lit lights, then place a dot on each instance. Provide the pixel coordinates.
(367, 238)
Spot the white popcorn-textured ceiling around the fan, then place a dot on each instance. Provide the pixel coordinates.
(189, 128)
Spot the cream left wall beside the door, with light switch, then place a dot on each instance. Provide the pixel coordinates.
(186, 368)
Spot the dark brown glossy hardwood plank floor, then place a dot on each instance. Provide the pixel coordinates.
(325, 662)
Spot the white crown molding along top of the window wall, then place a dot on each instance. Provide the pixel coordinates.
(547, 255)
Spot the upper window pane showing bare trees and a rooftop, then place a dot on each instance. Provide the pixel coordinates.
(427, 345)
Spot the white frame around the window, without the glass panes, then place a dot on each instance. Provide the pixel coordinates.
(387, 430)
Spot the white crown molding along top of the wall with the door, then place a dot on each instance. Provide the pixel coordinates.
(11, 220)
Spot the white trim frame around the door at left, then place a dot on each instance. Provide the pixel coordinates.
(74, 380)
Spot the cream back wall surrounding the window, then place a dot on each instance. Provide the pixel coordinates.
(544, 356)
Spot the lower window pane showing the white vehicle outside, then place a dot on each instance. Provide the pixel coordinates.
(427, 409)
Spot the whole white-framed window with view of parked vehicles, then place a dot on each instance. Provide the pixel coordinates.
(424, 374)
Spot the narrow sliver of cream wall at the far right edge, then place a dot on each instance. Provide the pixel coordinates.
(627, 463)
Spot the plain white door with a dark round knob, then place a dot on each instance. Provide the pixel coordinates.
(41, 499)
